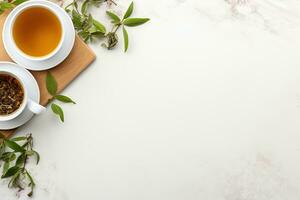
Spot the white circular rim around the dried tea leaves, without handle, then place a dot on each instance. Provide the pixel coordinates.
(17, 112)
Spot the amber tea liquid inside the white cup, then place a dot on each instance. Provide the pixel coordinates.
(37, 31)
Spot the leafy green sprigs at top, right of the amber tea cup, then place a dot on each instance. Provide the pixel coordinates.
(88, 28)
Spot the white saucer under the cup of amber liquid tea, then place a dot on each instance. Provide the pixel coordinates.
(61, 55)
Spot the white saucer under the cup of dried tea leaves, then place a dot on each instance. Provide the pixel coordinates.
(33, 93)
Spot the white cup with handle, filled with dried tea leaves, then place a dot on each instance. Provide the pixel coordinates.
(14, 97)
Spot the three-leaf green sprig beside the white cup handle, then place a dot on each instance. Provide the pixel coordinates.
(51, 85)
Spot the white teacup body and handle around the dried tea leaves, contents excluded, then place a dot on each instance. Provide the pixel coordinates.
(27, 103)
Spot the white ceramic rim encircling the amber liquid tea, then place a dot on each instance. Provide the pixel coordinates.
(52, 10)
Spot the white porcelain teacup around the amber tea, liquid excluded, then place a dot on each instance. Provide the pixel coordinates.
(54, 9)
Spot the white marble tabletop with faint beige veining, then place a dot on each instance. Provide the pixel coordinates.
(205, 105)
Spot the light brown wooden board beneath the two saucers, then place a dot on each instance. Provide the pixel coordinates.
(78, 60)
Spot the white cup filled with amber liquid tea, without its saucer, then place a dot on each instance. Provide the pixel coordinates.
(37, 31)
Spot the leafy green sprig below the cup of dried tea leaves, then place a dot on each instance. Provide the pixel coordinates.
(14, 154)
